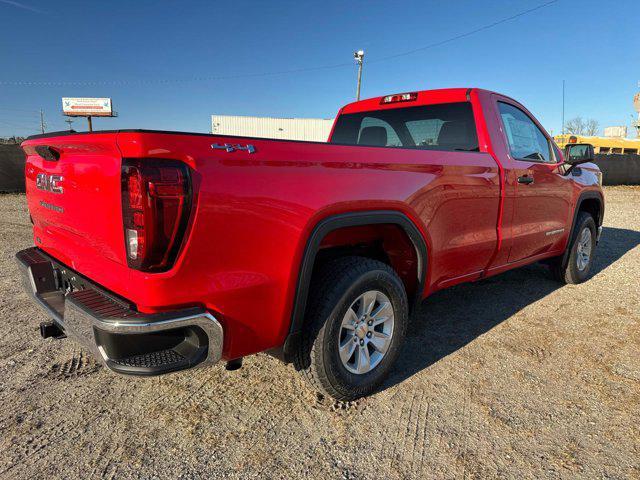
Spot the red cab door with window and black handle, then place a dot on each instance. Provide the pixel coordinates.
(542, 193)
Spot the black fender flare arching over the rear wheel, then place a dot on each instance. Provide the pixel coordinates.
(320, 231)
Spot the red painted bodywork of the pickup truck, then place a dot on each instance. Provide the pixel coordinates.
(253, 213)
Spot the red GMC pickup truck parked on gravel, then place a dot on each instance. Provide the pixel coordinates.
(162, 251)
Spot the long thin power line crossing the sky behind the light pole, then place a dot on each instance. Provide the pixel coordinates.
(273, 73)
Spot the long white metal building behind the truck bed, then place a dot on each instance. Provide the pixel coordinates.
(310, 129)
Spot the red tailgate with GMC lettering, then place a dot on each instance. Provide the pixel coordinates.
(74, 196)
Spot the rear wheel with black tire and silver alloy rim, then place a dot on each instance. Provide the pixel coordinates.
(339, 295)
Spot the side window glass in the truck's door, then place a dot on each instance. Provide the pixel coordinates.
(526, 140)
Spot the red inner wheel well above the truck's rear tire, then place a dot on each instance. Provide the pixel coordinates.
(388, 243)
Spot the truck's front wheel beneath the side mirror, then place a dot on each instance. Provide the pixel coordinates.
(577, 266)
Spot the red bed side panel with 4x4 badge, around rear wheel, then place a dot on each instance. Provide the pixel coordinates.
(255, 211)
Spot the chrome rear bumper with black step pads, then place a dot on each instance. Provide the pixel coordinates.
(126, 340)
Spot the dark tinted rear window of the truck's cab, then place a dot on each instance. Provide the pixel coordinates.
(447, 126)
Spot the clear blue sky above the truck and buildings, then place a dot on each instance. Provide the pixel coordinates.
(170, 65)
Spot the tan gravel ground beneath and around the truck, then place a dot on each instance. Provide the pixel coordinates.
(512, 377)
